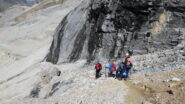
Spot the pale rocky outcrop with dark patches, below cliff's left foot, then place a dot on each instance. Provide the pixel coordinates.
(48, 82)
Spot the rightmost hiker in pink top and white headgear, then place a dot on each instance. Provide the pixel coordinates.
(129, 63)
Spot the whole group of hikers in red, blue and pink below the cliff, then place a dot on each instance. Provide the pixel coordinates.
(122, 68)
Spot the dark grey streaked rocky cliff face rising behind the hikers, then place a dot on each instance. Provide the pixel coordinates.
(104, 29)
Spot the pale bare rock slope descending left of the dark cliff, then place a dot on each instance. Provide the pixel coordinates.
(23, 45)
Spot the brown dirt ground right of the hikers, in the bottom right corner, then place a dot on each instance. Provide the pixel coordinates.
(157, 88)
